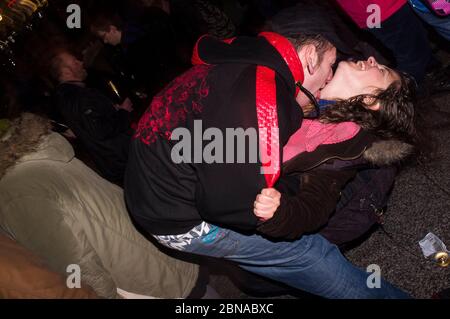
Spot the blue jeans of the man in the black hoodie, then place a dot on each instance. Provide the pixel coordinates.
(310, 263)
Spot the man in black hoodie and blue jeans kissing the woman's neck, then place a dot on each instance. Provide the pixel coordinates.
(187, 202)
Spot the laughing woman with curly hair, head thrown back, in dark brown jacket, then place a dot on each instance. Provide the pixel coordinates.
(367, 126)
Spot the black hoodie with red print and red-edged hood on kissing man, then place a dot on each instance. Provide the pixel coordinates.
(168, 198)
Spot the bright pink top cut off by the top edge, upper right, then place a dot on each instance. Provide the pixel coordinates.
(357, 9)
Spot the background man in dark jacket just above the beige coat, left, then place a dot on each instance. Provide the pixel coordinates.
(102, 127)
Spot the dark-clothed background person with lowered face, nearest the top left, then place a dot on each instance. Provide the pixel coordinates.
(145, 55)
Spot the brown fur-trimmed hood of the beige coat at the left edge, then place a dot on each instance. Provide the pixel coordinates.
(30, 138)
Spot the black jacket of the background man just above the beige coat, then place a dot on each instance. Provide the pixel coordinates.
(103, 131)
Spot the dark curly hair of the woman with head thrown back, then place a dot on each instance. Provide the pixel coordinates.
(395, 118)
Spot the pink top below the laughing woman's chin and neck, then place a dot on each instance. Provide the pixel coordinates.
(313, 133)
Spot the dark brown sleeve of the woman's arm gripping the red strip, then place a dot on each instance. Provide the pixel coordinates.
(310, 208)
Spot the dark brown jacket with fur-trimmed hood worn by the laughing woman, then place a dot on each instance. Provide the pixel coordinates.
(312, 182)
